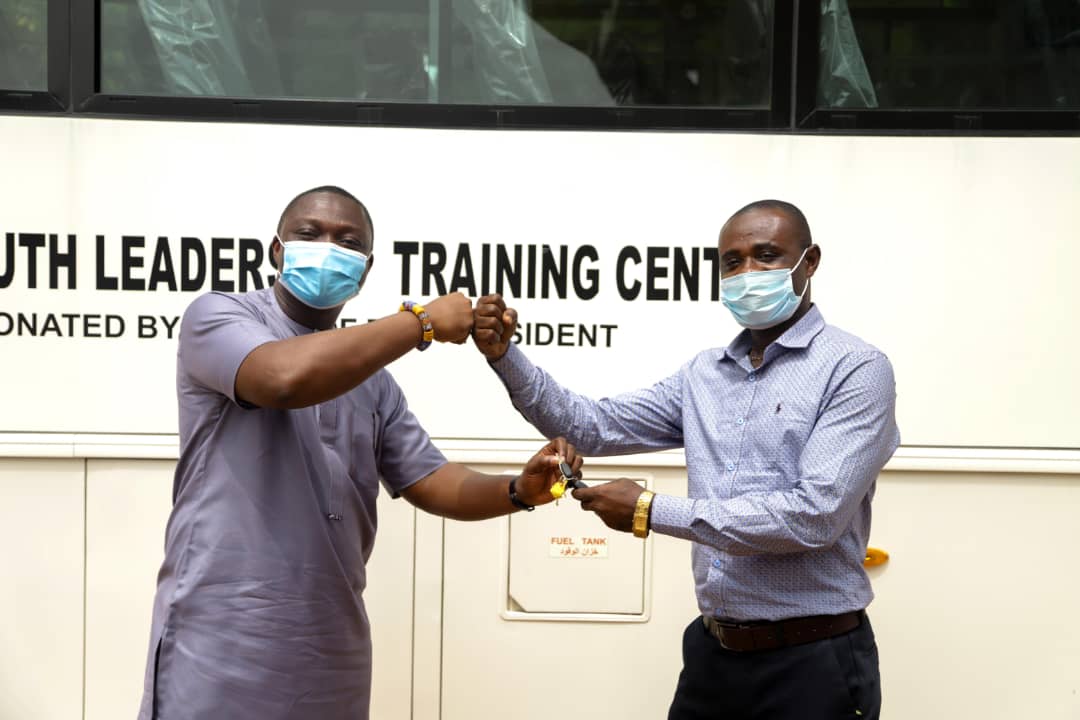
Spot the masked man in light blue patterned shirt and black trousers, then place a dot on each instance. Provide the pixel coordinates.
(786, 431)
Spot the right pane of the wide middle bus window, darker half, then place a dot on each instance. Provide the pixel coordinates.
(611, 52)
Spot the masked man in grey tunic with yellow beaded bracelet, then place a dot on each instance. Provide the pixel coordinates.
(286, 433)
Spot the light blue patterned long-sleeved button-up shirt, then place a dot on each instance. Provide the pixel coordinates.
(782, 463)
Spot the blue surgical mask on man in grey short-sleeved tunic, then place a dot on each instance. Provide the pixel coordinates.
(321, 275)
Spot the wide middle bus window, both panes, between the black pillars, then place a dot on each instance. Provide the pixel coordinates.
(565, 52)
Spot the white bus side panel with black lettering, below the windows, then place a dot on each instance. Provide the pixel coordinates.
(958, 257)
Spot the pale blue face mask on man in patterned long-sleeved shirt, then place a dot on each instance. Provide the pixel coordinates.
(760, 301)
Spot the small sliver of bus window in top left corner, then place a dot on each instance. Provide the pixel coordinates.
(23, 48)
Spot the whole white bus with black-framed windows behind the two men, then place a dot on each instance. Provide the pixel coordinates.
(579, 158)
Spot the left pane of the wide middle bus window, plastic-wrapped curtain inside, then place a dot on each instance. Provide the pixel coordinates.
(327, 49)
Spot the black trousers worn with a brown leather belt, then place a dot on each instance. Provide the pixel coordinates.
(821, 681)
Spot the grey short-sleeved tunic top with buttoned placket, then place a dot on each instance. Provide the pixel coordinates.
(259, 612)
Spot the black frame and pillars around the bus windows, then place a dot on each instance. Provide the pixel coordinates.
(74, 71)
